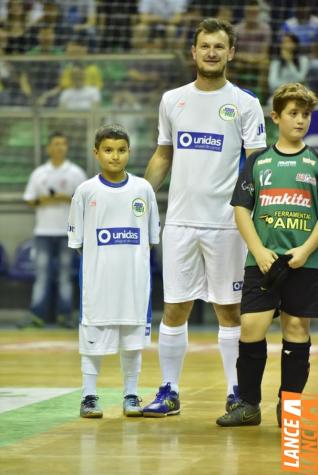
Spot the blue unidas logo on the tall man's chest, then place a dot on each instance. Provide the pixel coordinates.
(200, 141)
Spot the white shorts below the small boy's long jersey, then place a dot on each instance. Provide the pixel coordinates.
(110, 339)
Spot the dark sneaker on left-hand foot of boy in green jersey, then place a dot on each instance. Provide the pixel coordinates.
(241, 414)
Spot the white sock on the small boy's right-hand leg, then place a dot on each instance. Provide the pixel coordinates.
(131, 366)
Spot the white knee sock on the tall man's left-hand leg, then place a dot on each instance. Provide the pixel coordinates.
(173, 343)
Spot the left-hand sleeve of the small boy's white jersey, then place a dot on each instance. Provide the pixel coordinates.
(76, 222)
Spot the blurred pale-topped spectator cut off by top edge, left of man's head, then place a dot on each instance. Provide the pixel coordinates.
(157, 24)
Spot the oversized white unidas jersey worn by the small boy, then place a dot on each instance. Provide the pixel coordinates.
(114, 225)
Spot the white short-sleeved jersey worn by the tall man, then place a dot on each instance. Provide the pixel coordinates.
(208, 131)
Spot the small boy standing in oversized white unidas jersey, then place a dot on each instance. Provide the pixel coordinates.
(113, 221)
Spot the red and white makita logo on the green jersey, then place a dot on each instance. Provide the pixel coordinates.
(285, 196)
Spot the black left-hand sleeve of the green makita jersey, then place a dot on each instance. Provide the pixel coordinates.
(244, 191)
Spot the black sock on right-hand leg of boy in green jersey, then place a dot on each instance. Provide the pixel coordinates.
(294, 366)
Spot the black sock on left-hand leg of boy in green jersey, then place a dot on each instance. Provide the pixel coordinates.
(250, 368)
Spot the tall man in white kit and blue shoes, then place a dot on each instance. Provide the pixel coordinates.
(206, 128)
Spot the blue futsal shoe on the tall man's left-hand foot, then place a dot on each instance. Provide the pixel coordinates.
(167, 403)
